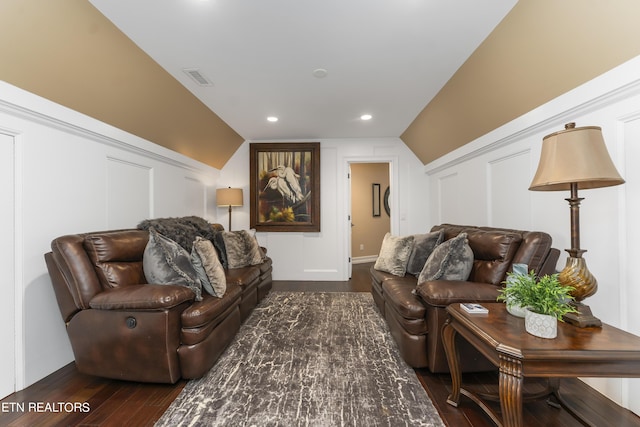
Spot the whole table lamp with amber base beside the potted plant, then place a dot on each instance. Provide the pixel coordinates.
(572, 159)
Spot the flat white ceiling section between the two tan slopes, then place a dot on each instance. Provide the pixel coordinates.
(384, 58)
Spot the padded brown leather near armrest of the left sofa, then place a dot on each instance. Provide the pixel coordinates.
(142, 297)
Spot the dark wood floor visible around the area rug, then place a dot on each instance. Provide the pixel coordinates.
(118, 403)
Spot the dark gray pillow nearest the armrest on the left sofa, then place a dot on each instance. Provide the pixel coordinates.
(167, 263)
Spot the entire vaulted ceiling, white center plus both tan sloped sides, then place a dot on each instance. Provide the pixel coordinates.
(435, 73)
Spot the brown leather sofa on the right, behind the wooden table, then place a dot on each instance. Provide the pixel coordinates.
(416, 320)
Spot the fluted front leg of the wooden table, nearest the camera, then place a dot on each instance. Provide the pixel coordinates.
(510, 389)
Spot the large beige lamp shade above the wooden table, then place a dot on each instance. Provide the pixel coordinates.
(575, 155)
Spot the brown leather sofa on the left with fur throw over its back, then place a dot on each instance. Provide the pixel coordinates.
(122, 327)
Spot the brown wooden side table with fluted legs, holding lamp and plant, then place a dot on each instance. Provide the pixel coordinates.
(501, 337)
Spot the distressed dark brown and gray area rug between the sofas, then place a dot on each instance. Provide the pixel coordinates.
(307, 359)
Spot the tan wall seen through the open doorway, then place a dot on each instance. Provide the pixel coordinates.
(368, 230)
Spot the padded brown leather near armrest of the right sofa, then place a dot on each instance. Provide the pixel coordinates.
(441, 293)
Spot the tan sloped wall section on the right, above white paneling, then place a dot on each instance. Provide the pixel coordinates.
(541, 49)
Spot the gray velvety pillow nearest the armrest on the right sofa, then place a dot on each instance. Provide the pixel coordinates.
(451, 260)
